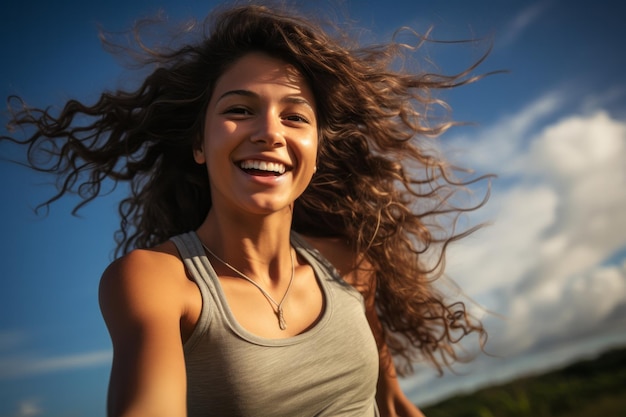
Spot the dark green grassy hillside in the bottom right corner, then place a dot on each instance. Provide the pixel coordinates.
(593, 388)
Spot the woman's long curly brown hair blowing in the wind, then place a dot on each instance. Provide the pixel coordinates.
(378, 184)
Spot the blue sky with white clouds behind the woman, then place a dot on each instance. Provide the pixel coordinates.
(551, 267)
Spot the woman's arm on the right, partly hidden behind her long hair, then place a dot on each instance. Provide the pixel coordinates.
(391, 400)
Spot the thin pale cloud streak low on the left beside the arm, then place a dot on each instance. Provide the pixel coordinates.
(20, 365)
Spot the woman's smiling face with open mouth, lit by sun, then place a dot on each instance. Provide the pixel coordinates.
(260, 137)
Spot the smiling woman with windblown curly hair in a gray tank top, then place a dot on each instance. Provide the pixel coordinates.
(282, 210)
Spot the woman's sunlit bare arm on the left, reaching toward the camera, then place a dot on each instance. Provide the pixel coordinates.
(142, 305)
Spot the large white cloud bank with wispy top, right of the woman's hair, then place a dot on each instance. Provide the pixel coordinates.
(547, 263)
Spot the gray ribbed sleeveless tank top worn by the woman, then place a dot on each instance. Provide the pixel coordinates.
(330, 370)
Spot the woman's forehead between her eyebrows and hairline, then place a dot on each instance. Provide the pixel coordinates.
(257, 70)
